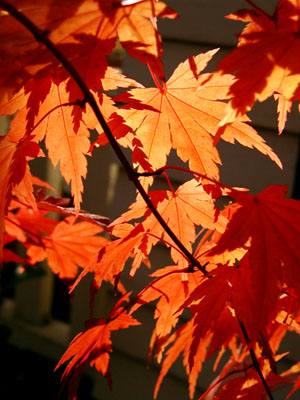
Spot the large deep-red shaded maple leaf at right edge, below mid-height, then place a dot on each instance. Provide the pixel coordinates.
(268, 225)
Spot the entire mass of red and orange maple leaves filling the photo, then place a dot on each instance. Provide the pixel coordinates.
(239, 278)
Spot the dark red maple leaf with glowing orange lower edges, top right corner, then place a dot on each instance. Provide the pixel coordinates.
(264, 62)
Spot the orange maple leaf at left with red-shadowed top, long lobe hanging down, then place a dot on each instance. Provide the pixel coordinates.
(47, 108)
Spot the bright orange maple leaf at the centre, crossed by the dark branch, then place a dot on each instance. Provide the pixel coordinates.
(190, 205)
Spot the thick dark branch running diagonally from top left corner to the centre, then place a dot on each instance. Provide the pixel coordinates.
(42, 37)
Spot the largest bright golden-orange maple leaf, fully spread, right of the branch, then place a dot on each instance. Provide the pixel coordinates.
(184, 114)
